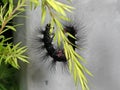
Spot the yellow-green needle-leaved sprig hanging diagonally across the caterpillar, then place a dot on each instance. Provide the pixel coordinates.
(57, 12)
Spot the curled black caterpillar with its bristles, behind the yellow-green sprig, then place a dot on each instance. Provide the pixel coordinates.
(44, 47)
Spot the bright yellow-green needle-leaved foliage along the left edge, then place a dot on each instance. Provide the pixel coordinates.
(10, 53)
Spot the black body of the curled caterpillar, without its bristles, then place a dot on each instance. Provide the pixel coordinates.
(57, 54)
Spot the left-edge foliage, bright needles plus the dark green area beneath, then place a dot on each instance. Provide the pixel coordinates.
(10, 53)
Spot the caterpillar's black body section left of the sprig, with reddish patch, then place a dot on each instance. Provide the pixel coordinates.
(56, 54)
